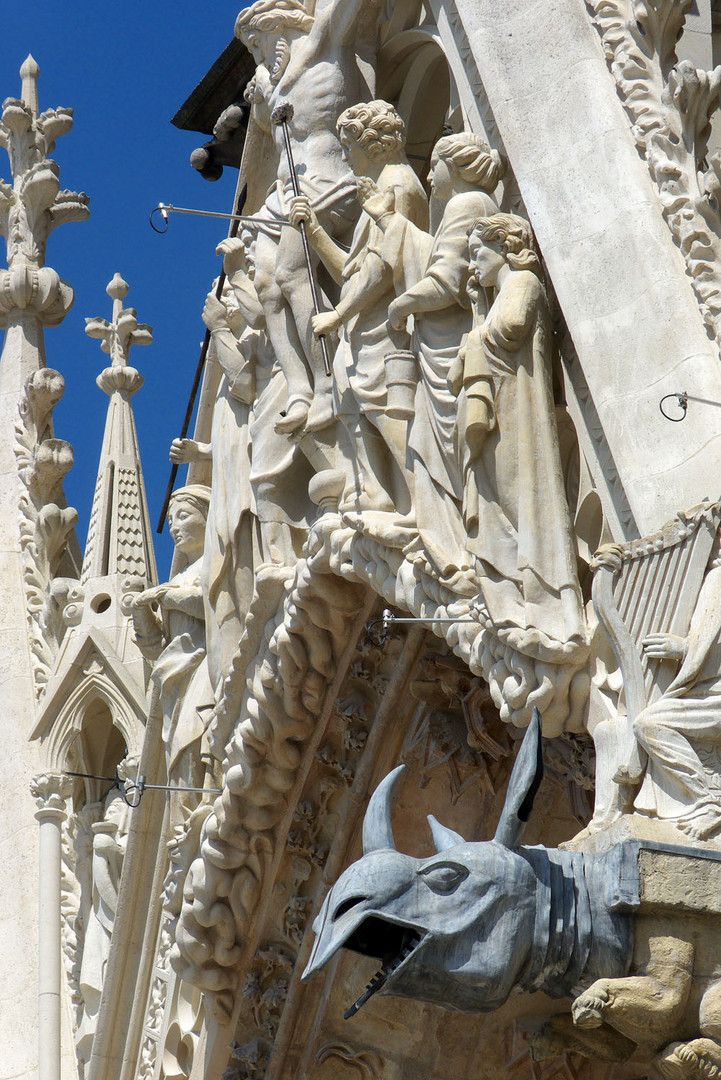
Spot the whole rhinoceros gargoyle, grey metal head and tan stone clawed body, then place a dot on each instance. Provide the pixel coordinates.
(475, 922)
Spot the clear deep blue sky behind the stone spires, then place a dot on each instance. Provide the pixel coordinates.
(126, 70)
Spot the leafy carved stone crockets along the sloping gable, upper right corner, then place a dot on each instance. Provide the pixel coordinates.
(670, 105)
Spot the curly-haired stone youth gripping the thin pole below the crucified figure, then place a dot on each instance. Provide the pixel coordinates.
(373, 137)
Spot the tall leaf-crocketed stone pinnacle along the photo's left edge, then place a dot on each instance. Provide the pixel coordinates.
(36, 535)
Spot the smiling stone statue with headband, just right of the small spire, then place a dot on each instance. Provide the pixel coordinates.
(170, 630)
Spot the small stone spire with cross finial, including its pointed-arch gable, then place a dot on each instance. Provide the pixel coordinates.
(99, 655)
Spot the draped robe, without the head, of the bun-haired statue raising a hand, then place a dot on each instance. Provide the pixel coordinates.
(432, 440)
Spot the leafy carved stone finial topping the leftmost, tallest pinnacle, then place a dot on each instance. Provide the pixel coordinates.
(34, 205)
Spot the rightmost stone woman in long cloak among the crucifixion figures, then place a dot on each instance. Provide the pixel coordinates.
(515, 510)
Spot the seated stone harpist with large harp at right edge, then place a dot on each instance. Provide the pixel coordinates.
(661, 753)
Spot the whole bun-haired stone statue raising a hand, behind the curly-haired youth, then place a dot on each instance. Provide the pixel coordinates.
(431, 275)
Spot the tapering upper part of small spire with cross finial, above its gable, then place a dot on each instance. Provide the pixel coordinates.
(120, 537)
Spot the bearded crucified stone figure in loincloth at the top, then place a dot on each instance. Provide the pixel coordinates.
(311, 62)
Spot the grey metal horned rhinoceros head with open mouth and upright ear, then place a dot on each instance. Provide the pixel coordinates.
(455, 929)
